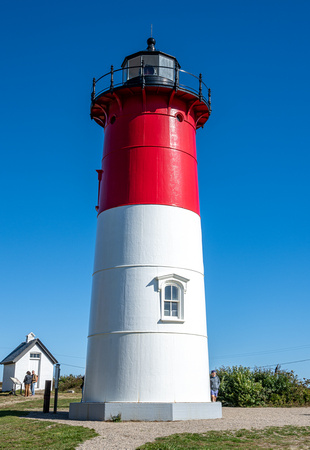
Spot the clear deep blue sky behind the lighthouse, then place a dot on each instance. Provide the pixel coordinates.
(253, 158)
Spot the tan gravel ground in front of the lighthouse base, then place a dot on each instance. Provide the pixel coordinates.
(129, 435)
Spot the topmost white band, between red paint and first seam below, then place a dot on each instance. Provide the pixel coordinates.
(155, 235)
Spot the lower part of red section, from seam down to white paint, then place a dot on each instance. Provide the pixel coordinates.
(149, 175)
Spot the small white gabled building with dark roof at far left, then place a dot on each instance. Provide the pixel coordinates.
(29, 355)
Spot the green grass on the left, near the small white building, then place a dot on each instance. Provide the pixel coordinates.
(18, 432)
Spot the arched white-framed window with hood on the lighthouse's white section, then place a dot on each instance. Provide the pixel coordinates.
(172, 289)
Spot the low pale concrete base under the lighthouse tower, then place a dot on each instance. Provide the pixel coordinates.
(144, 411)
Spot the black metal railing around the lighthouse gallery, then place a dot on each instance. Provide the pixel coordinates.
(179, 79)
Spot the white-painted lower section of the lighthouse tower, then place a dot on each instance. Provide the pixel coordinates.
(135, 353)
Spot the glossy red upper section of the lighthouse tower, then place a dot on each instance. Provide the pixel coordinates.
(149, 154)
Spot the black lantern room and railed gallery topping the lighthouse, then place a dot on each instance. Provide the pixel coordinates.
(150, 72)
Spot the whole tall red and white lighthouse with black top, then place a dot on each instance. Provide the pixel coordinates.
(147, 354)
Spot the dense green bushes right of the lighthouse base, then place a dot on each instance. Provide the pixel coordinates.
(241, 386)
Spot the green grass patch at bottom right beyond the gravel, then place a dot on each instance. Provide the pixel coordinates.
(270, 437)
